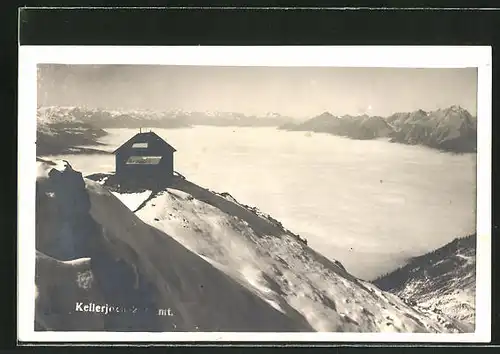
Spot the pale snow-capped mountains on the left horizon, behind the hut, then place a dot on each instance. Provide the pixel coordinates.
(66, 130)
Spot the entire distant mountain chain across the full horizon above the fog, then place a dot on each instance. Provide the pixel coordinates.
(452, 129)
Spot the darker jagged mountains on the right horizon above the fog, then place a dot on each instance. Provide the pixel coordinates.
(452, 129)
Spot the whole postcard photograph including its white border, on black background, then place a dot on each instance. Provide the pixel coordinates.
(232, 197)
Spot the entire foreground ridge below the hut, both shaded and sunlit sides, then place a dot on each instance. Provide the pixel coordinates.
(217, 265)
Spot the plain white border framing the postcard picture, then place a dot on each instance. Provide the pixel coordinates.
(343, 56)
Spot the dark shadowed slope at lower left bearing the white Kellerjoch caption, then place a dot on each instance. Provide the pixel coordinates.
(91, 249)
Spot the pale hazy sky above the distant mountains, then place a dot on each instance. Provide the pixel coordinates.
(297, 92)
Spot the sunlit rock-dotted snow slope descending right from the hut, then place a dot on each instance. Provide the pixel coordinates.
(256, 251)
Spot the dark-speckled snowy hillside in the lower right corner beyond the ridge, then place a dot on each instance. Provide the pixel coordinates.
(442, 282)
